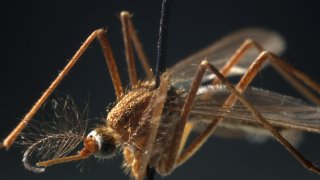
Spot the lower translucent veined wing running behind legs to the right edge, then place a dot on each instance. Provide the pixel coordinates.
(281, 111)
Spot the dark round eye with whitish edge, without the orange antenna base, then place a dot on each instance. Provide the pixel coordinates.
(106, 144)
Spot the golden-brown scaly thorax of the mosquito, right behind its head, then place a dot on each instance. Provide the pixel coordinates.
(128, 123)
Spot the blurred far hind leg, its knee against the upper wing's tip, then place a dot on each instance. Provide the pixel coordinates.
(285, 70)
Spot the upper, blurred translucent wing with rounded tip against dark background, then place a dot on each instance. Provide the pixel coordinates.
(219, 53)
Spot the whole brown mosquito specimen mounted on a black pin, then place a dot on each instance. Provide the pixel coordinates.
(151, 122)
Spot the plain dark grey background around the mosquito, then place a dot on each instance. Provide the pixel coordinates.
(38, 37)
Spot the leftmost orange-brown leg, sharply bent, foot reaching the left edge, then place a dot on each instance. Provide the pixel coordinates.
(9, 140)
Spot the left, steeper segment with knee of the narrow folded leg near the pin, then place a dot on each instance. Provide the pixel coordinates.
(124, 16)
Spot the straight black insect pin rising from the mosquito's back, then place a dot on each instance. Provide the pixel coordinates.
(163, 41)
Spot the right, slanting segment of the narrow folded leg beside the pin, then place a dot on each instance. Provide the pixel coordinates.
(138, 47)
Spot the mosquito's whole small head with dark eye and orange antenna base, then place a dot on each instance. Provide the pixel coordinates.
(101, 145)
